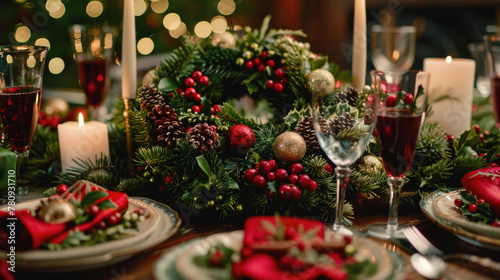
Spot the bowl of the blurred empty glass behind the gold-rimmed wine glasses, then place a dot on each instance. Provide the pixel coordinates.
(392, 47)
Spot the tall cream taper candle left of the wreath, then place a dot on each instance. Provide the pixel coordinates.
(129, 54)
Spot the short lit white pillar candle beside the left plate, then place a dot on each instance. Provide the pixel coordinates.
(83, 141)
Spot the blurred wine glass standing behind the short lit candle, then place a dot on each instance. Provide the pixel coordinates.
(93, 51)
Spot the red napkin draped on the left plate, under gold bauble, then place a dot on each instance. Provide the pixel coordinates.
(31, 232)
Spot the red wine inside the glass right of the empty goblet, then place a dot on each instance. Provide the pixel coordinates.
(397, 134)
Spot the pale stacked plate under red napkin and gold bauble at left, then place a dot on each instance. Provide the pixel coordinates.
(162, 223)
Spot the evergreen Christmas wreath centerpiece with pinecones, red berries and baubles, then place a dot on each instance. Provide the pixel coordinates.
(197, 150)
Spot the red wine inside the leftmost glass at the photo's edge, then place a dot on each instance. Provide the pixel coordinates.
(19, 108)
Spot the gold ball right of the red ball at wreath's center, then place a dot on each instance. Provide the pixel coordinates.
(289, 147)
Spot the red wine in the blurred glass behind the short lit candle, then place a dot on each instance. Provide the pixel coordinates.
(93, 80)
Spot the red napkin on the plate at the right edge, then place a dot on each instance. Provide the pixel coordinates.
(484, 186)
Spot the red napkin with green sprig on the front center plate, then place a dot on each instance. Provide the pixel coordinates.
(267, 241)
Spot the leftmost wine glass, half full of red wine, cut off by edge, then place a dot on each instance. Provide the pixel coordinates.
(21, 74)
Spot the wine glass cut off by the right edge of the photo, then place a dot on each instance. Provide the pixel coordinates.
(492, 44)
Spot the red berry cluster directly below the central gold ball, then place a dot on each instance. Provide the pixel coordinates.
(289, 184)
